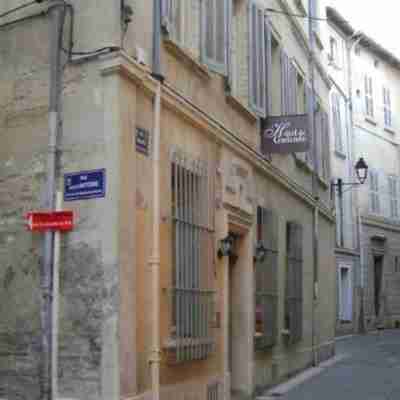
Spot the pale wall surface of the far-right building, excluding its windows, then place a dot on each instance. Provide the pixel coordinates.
(372, 140)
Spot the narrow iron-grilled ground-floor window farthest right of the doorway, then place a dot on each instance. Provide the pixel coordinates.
(294, 282)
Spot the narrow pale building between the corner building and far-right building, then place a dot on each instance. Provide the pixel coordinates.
(338, 46)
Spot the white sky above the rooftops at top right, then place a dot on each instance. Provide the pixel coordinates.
(378, 19)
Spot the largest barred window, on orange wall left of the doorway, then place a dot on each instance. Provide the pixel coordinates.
(193, 252)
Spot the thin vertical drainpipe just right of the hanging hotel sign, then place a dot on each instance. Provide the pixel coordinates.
(311, 108)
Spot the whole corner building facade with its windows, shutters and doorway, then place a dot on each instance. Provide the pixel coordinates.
(228, 326)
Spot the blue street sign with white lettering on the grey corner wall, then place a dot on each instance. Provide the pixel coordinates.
(85, 185)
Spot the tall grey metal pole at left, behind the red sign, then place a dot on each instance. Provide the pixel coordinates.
(56, 14)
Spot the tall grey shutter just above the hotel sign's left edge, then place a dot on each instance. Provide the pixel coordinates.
(257, 59)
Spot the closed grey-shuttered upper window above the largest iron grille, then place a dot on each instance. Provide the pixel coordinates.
(215, 34)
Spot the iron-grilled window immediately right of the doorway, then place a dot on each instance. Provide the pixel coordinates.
(266, 280)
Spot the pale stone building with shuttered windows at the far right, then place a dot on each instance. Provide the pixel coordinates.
(375, 100)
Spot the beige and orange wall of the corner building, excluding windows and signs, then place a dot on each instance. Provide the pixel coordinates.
(105, 307)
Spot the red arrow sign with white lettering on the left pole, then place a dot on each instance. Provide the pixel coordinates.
(52, 220)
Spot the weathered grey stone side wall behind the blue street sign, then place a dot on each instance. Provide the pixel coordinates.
(90, 255)
